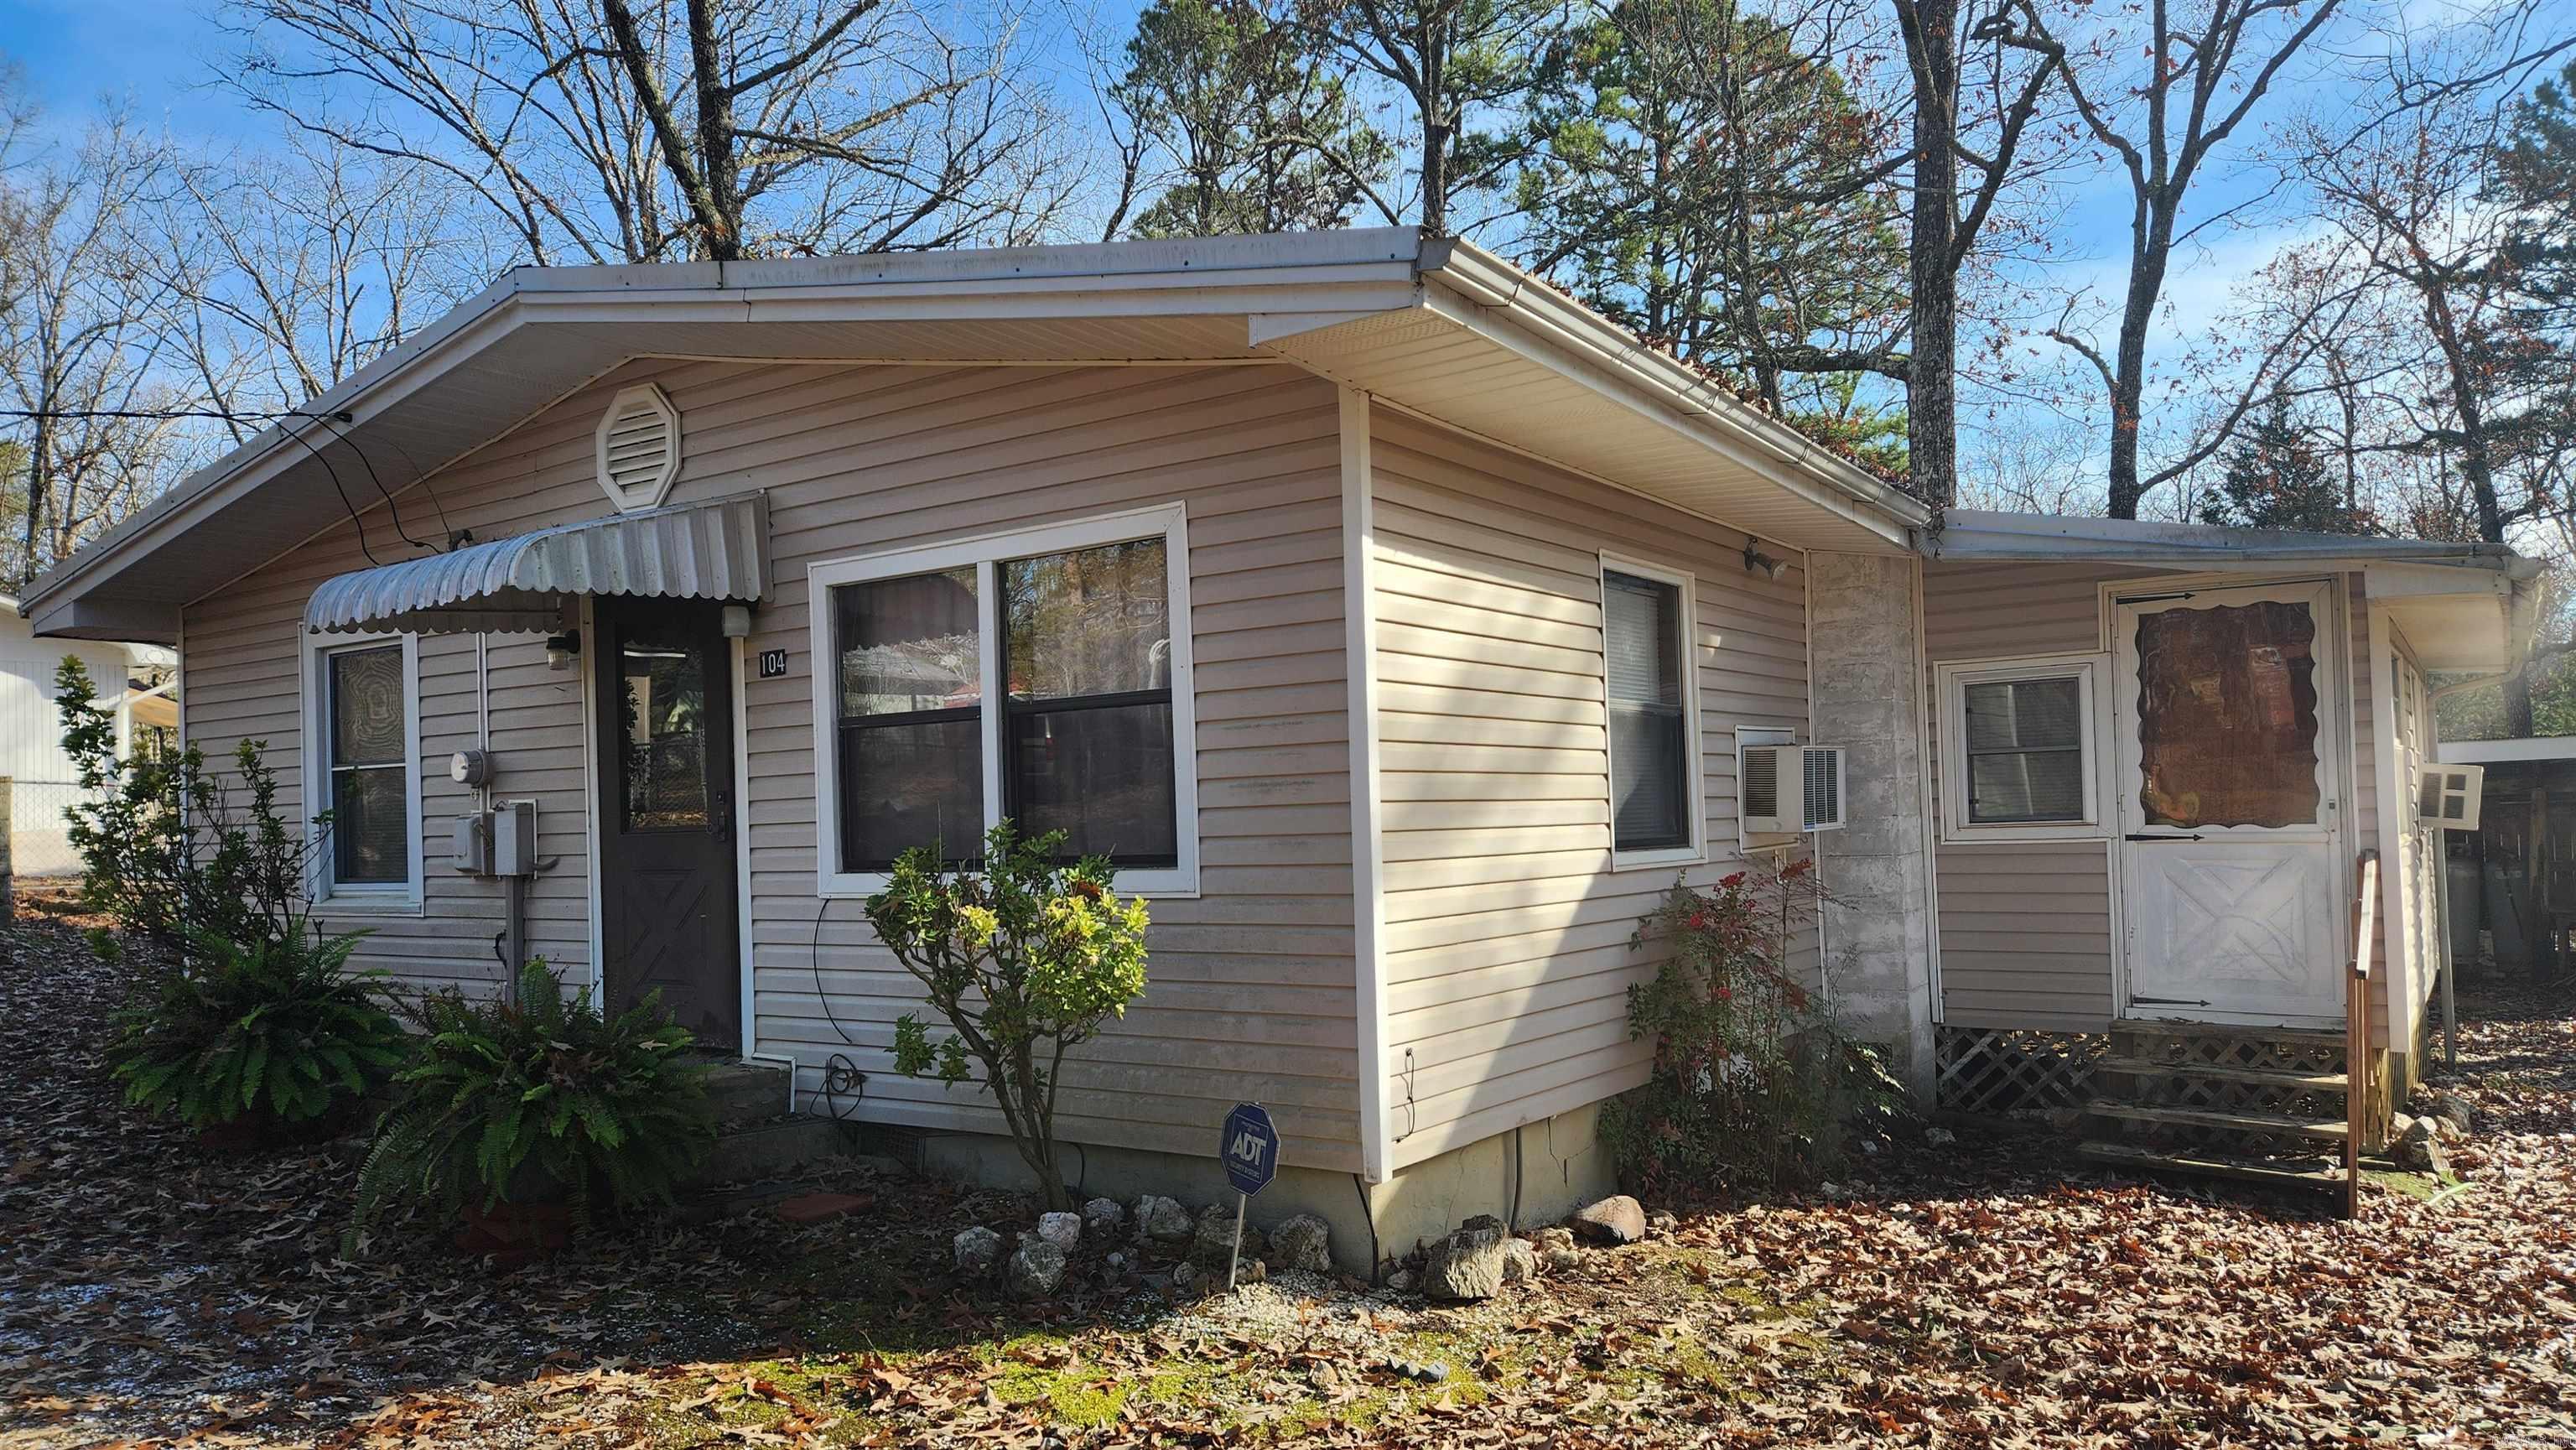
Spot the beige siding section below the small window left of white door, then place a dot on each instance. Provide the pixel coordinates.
(2026, 936)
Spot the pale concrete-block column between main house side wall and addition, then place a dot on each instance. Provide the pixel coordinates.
(1866, 681)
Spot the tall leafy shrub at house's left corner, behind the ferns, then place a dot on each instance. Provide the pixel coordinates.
(176, 851)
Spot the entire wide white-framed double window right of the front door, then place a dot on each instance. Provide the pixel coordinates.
(1034, 676)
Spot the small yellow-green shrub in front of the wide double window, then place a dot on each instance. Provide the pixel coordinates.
(1027, 959)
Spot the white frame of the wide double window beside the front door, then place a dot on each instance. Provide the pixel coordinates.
(985, 555)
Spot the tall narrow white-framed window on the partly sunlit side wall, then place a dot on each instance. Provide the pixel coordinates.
(1650, 720)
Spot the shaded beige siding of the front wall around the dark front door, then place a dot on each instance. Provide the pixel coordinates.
(1251, 983)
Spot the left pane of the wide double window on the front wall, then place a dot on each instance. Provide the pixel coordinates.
(911, 717)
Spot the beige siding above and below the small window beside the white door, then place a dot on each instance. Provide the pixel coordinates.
(2023, 926)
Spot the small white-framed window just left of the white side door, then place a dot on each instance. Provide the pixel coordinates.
(2018, 751)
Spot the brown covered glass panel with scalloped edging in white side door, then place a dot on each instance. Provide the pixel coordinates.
(2227, 717)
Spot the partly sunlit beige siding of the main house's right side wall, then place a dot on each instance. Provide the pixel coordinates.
(1506, 928)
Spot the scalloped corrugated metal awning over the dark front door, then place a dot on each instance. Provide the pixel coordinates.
(522, 586)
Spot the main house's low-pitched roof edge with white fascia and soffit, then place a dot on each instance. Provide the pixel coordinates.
(1516, 364)
